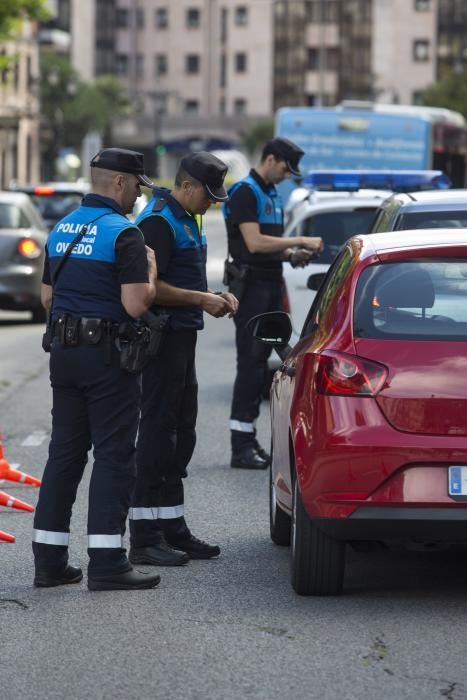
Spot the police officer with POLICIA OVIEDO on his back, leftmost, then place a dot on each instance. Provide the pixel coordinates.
(94, 294)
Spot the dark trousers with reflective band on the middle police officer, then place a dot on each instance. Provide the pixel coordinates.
(166, 440)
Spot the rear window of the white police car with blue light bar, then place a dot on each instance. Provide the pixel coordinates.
(336, 227)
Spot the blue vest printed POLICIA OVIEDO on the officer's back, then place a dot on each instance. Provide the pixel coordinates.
(88, 283)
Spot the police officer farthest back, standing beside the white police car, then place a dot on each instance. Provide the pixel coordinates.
(254, 221)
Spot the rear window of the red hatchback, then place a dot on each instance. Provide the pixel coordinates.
(412, 300)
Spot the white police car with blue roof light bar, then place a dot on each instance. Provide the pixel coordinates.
(337, 205)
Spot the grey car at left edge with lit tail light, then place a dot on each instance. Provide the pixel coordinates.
(22, 241)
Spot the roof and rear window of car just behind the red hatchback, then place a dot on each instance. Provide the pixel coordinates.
(419, 210)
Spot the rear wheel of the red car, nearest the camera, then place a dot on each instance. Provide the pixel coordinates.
(317, 561)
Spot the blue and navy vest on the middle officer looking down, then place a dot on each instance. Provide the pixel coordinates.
(187, 266)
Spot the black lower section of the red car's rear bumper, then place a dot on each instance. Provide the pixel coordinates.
(382, 524)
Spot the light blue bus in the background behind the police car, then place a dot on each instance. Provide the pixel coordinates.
(357, 135)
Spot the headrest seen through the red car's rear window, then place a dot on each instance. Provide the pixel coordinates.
(406, 287)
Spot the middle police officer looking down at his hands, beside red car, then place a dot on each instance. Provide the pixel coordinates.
(172, 226)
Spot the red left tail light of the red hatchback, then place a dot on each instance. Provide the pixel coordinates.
(347, 375)
